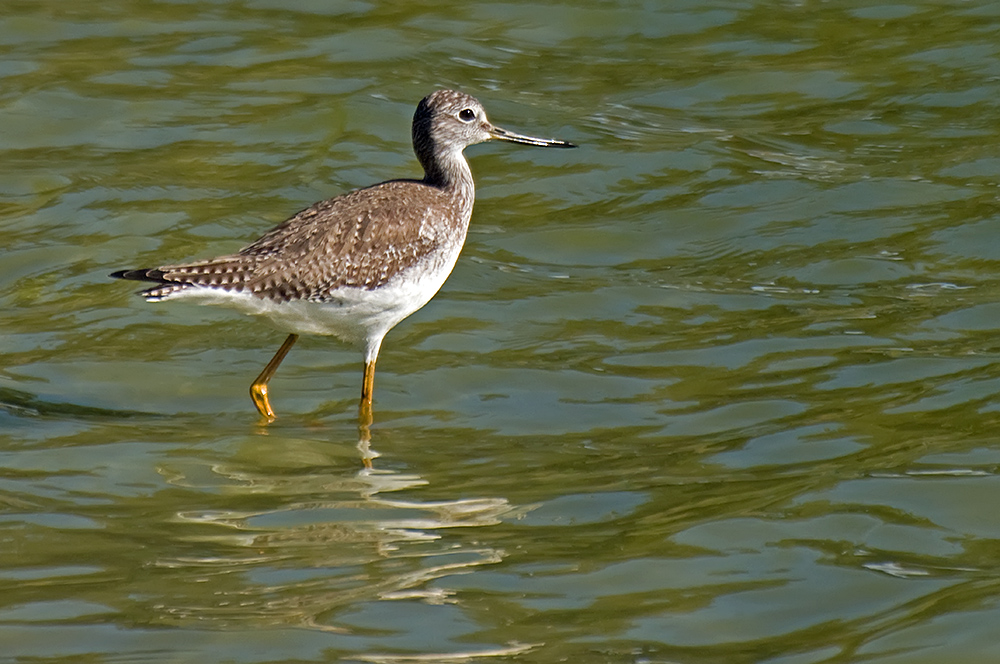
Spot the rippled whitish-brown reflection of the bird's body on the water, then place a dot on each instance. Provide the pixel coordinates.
(300, 561)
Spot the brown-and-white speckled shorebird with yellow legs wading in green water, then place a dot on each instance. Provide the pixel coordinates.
(355, 265)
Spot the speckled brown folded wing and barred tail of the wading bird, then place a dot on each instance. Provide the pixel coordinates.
(361, 239)
